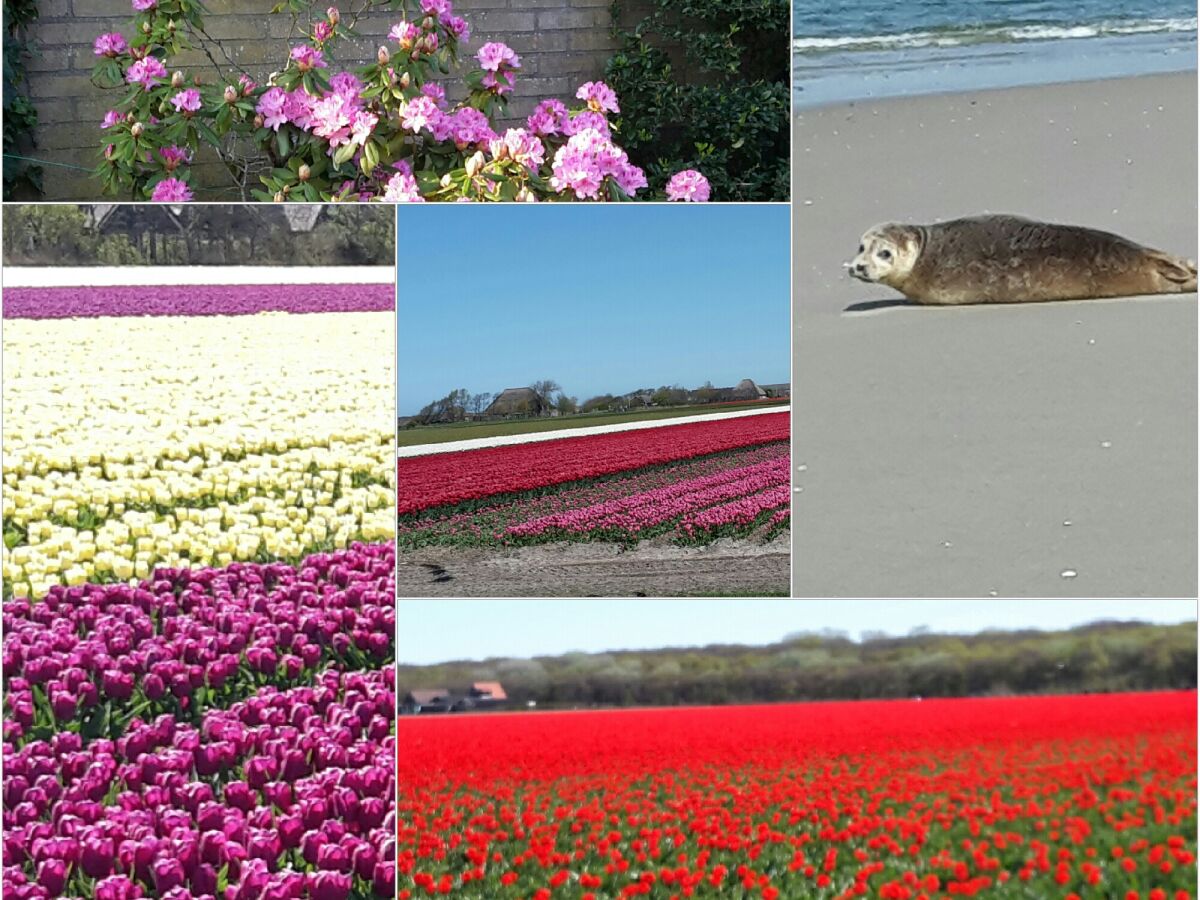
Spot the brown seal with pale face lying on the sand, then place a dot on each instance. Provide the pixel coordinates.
(1009, 260)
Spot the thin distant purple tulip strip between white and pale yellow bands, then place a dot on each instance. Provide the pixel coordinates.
(195, 301)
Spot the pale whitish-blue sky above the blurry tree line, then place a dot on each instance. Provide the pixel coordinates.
(434, 629)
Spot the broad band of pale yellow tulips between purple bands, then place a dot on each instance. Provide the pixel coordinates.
(135, 443)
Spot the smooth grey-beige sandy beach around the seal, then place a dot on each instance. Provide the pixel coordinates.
(982, 452)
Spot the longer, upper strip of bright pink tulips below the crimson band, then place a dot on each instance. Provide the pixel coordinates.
(639, 513)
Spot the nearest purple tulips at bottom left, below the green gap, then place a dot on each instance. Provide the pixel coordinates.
(284, 795)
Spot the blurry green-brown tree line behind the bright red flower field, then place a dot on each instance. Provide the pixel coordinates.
(1102, 657)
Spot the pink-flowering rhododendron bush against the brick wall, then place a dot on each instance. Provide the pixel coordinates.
(383, 131)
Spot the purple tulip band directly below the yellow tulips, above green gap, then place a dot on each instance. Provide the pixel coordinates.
(94, 656)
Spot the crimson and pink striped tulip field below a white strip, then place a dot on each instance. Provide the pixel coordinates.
(692, 483)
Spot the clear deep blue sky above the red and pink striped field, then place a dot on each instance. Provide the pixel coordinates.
(601, 298)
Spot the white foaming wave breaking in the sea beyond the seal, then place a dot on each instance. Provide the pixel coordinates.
(991, 34)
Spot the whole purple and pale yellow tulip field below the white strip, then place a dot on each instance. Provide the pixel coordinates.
(200, 593)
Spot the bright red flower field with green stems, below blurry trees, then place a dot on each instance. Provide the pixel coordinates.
(1067, 797)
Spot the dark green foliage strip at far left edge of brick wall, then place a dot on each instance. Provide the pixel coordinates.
(20, 113)
